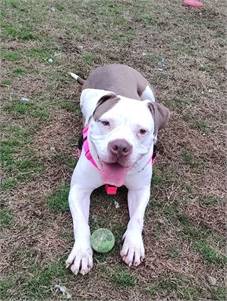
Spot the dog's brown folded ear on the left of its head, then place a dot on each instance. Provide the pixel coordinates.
(104, 104)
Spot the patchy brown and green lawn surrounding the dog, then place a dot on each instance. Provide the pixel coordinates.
(181, 53)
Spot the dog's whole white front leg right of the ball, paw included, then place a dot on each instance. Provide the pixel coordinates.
(132, 251)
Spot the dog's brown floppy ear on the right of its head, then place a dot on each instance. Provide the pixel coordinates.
(160, 114)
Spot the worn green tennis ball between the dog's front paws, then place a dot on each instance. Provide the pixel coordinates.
(102, 240)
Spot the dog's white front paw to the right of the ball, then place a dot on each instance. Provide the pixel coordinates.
(132, 252)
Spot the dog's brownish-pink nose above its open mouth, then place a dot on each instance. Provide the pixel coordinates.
(120, 148)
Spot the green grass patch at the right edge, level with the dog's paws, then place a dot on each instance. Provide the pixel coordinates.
(209, 254)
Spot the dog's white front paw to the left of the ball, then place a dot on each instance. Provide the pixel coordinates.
(80, 259)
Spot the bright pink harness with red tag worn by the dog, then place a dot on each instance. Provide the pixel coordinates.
(110, 189)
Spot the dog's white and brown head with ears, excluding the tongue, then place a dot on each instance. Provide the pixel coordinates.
(123, 130)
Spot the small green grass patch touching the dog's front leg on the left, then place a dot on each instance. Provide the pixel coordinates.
(58, 201)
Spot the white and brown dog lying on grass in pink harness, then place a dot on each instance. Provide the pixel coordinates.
(121, 124)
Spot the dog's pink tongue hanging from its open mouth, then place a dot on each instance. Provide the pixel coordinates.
(114, 173)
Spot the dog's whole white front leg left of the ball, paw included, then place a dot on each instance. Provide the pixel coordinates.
(80, 257)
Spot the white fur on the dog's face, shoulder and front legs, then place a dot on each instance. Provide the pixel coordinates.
(126, 116)
